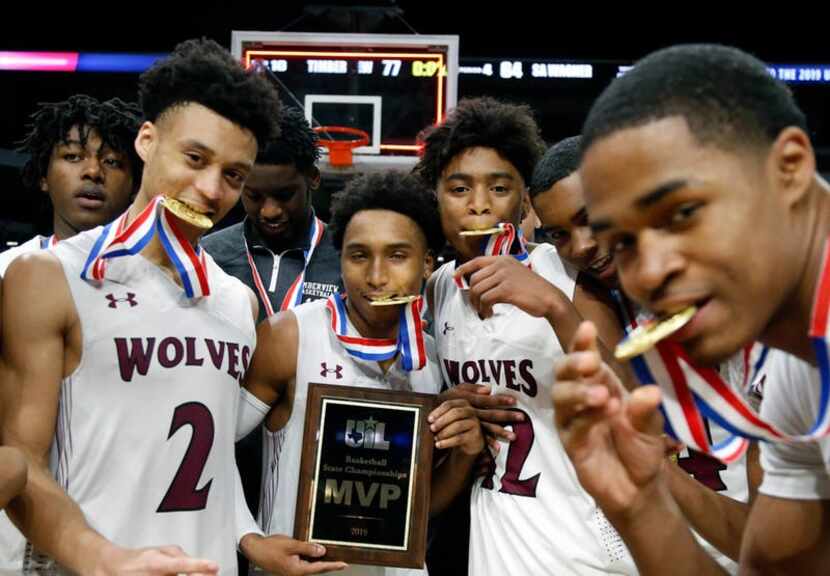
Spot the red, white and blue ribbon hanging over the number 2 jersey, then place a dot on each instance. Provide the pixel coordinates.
(116, 240)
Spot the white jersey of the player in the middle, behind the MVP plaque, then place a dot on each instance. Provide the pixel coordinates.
(321, 358)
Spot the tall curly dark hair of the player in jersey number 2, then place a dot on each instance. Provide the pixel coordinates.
(202, 72)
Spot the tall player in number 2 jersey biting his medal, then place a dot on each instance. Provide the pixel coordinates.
(136, 335)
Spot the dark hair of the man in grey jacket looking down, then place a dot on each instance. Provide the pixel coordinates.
(297, 143)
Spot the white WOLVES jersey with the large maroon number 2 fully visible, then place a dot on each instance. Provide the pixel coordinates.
(145, 430)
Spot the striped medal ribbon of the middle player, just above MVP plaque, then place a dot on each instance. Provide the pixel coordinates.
(409, 343)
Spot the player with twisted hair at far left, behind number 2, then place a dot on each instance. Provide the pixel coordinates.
(81, 155)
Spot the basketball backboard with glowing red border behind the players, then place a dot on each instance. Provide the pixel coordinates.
(391, 86)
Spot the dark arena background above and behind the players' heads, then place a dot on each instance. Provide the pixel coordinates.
(556, 58)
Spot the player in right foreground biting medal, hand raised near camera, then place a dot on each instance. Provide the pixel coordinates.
(693, 153)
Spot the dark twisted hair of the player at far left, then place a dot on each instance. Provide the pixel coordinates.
(115, 121)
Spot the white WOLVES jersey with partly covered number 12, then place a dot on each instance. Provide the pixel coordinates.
(530, 516)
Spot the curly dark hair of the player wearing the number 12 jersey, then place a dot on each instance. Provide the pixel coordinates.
(510, 129)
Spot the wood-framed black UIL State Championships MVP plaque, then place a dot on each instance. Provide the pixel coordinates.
(365, 473)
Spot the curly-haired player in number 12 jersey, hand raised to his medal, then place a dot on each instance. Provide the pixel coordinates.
(528, 515)
